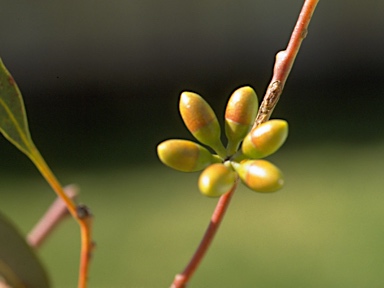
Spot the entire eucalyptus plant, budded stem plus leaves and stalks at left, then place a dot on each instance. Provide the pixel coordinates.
(251, 136)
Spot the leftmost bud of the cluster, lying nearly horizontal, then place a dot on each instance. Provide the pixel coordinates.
(185, 155)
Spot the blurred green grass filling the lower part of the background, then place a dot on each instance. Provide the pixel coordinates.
(324, 229)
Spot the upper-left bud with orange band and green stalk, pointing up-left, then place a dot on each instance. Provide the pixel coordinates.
(201, 121)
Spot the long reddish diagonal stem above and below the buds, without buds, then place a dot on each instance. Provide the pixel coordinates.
(283, 64)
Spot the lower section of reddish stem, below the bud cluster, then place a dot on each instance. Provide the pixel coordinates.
(181, 280)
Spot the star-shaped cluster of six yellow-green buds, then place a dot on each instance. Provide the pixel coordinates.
(241, 158)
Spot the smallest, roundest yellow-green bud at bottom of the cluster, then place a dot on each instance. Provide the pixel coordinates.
(216, 180)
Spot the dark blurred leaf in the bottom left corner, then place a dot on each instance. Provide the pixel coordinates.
(19, 265)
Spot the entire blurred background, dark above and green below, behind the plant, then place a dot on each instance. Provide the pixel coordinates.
(101, 82)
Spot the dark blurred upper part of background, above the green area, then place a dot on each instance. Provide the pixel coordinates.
(101, 80)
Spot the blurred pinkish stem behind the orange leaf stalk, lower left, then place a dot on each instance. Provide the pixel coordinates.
(54, 215)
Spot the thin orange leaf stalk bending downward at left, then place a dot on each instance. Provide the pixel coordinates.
(80, 213)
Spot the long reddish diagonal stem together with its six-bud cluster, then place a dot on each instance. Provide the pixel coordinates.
(247, 141)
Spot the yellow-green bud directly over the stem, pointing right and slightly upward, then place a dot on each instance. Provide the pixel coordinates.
(265, 139)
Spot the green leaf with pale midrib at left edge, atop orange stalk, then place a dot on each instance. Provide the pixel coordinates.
(13, 119)
